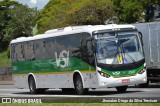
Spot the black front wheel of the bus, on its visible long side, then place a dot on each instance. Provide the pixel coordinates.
(78, 84)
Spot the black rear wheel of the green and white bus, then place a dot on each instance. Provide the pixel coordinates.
(32, 85)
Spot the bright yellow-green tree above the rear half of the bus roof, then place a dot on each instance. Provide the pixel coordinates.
(53, 15)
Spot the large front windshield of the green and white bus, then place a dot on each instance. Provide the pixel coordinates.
(118, 48)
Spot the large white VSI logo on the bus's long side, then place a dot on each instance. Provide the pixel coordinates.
(63, 59)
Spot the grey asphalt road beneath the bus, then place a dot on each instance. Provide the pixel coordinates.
(153, 91)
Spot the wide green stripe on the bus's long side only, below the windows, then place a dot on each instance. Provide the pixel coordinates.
(50, 65)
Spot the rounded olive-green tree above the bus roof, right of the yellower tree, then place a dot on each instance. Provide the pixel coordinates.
(91, 12)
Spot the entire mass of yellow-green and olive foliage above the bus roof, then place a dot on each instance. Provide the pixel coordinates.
(61, 13)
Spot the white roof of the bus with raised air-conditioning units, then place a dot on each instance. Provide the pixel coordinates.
(70, 30)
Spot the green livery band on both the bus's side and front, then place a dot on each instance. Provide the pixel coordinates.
(49, 66)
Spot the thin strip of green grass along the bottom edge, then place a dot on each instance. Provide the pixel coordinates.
(85, 104)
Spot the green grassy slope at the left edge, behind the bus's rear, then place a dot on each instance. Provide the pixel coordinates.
(4, 60)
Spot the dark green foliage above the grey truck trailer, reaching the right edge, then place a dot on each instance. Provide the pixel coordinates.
(131, 11)
